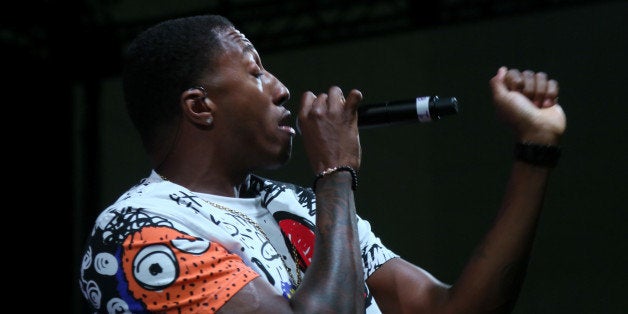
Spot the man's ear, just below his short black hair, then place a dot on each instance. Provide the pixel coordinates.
(197, 107)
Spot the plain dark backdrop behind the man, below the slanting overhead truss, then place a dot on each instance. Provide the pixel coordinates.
(431, 190)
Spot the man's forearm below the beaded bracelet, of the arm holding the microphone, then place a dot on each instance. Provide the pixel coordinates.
(334, 281)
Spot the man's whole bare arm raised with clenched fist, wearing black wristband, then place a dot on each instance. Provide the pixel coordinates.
(493, 276)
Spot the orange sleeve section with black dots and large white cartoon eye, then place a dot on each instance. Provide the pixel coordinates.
(172, 272)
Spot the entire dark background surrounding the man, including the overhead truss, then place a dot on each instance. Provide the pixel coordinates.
(431, 190)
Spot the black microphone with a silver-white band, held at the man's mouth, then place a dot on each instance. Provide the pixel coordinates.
(420, 109)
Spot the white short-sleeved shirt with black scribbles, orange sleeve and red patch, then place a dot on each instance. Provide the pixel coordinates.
(163, 248)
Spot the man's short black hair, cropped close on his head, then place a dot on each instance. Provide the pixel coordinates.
(162, 62)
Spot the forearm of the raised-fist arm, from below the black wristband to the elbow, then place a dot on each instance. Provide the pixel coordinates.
(493, 277)
